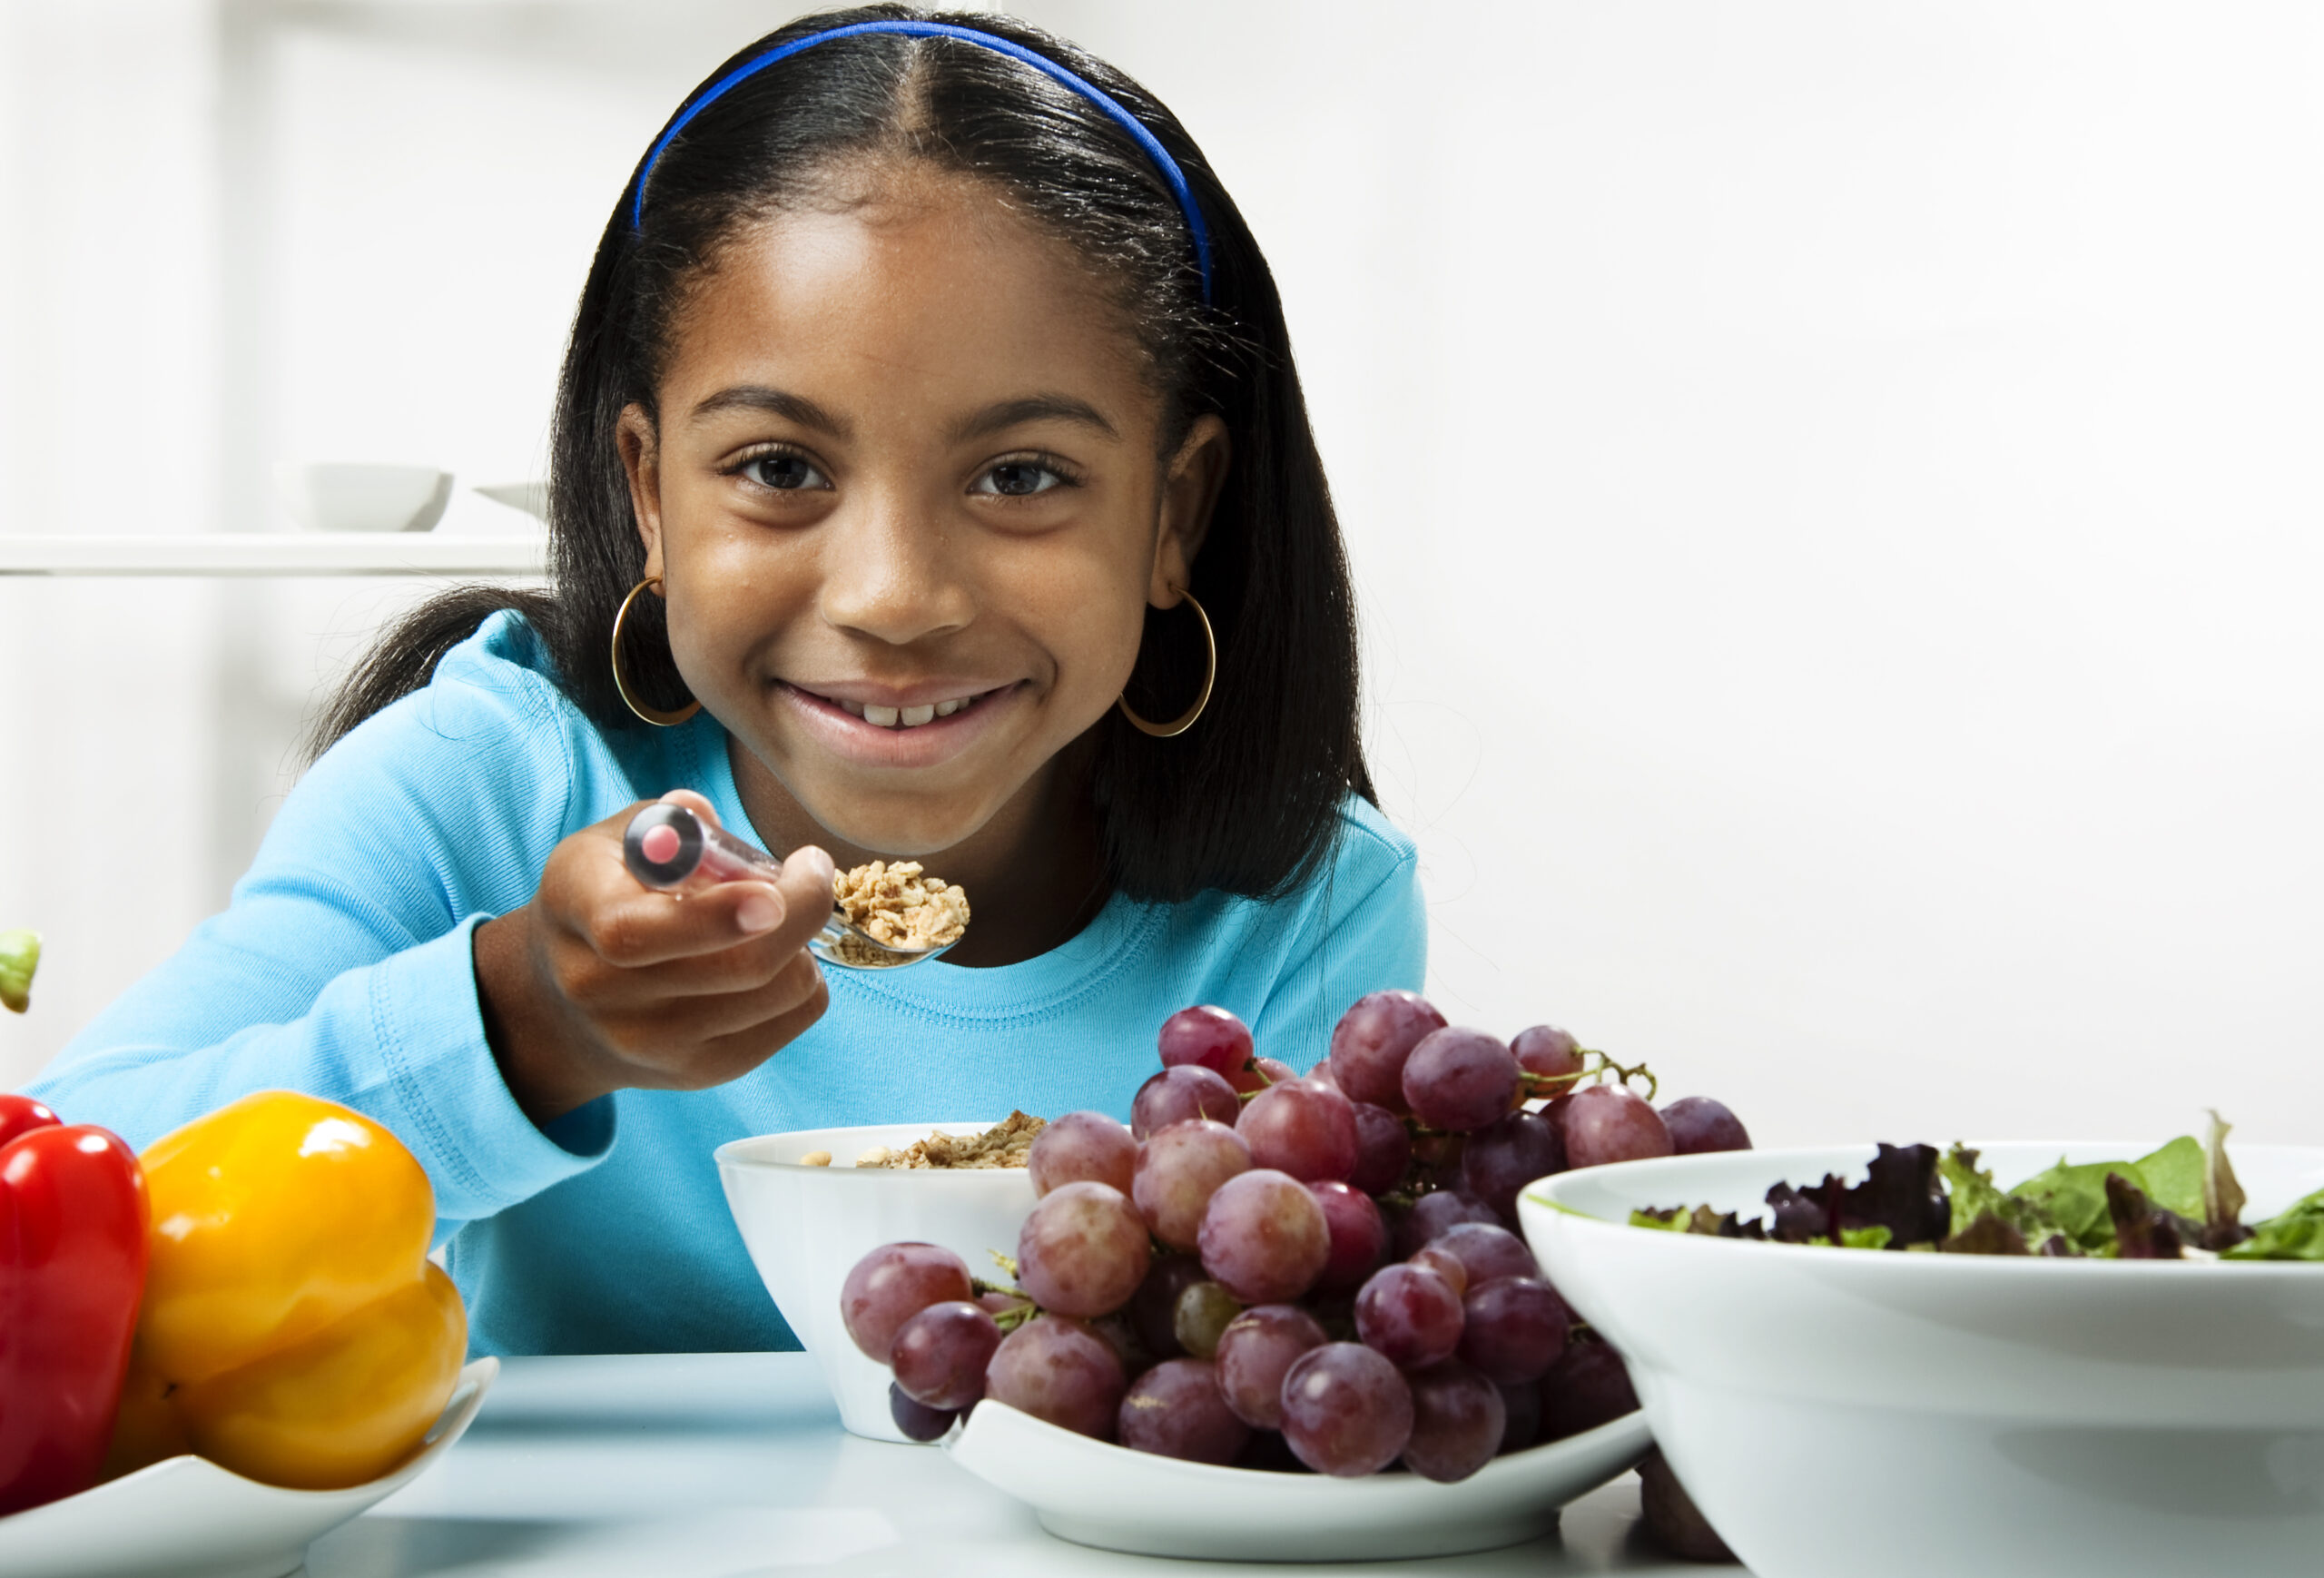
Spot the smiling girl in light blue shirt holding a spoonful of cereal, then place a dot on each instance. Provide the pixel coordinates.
(931, 480)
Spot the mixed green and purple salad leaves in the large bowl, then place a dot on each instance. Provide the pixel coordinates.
(2172, 1205)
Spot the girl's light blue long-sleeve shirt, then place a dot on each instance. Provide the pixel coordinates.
(343, 968)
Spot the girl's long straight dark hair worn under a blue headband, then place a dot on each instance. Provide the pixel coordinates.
(1249, 798)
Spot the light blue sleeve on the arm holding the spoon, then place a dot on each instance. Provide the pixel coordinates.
(345, 966)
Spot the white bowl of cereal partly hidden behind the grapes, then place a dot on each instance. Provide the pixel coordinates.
(810, 1226)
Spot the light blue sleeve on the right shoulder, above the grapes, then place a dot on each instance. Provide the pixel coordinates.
(1363, 931)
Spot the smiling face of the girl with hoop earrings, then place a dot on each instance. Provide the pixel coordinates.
(908, 501)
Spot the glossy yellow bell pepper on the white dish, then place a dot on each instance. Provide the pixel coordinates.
(294, 1328)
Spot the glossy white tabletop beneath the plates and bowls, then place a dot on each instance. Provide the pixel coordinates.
(736, 1468)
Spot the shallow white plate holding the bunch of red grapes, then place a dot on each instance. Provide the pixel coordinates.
(1105, 1495)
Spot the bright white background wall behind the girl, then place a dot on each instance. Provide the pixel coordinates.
(1832, 487)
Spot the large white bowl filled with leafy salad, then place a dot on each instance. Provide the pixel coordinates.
(1928, 1416)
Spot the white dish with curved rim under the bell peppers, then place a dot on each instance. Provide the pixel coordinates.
(192, 1519)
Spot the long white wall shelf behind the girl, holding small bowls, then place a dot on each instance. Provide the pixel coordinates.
(275, 554)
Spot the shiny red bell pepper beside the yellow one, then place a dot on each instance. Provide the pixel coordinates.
(73, 1251)
